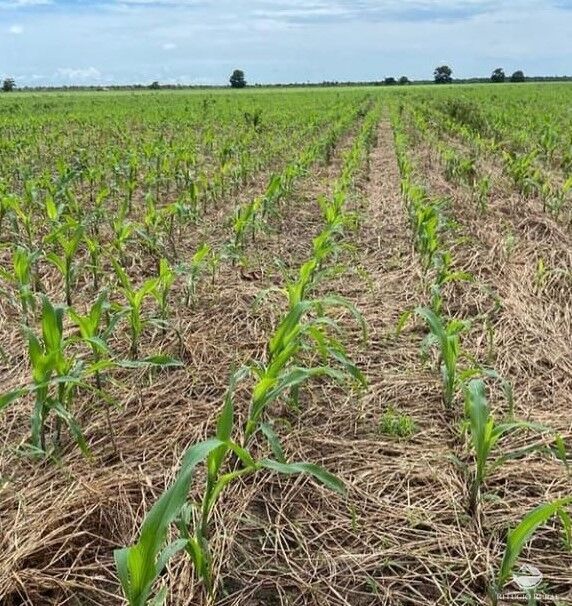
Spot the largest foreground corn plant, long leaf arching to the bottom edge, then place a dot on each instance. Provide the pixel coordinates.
(140, 566)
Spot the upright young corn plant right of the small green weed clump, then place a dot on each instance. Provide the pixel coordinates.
(485, 435)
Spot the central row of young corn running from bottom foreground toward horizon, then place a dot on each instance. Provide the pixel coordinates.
(305, 334)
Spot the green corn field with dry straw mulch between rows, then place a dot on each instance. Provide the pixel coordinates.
(303, 347)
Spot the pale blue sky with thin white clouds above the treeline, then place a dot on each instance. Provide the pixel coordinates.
(99, 42)
